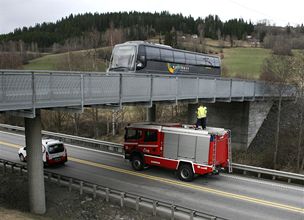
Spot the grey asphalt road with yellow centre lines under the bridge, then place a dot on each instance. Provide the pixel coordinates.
(228, 196)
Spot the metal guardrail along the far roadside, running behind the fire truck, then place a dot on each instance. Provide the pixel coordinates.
(117, 148)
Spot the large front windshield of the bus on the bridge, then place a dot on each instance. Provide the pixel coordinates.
(123, 58)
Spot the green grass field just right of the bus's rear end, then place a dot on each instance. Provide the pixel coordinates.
(244, 62)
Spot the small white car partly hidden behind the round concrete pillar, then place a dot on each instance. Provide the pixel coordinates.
(54, 152)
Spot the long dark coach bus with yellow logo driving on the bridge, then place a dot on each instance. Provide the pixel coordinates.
(140, 56)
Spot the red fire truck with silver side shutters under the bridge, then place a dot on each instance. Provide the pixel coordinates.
(178, 147)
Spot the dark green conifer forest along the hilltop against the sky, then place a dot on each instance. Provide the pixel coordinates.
(135, 25)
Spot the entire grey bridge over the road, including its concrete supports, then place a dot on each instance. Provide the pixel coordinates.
(24, 93)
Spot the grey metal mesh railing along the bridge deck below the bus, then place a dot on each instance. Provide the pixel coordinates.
(30, 90)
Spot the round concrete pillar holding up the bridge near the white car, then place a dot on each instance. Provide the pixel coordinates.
(35, 164)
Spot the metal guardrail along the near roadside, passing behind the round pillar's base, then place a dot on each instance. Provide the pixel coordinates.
(124, 199)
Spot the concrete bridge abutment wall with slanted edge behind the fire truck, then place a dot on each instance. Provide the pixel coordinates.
(244, 119)
